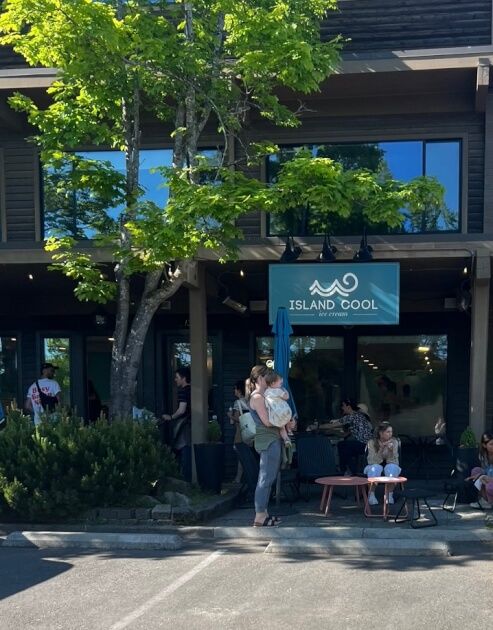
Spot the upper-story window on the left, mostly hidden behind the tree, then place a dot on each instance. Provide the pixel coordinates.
(82, 214)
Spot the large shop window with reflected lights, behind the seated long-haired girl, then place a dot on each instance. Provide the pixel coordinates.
(402, 379)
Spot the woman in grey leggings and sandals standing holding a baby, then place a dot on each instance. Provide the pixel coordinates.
(267, 443)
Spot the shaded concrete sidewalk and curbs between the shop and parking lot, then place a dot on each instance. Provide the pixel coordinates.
(304, 529)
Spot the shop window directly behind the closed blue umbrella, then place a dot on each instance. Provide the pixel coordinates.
(315, 374)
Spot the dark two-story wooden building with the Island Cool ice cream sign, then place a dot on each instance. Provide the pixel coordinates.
(412, 97)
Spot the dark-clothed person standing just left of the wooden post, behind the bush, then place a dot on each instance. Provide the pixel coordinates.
(181, 428)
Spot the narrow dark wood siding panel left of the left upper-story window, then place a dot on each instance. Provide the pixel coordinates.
(20, 188)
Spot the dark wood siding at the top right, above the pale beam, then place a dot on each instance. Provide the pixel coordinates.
(409, 24)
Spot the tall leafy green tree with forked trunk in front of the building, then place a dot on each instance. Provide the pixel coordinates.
(193, 67)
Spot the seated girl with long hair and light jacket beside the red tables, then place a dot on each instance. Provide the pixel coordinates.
(383, 457)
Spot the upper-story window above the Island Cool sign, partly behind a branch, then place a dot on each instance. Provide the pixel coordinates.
(402, 160)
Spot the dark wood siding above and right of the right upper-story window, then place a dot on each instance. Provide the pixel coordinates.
(318, 129)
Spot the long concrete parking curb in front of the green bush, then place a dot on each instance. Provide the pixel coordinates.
(79, 540)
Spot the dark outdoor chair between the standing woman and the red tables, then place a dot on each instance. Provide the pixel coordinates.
(315, 459)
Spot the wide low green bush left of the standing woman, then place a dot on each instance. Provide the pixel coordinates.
(61, 468)
